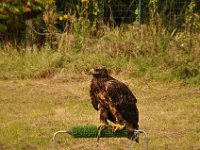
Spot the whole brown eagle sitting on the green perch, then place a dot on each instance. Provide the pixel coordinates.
(114, 101)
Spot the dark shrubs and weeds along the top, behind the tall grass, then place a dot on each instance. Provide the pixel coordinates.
(22, 17)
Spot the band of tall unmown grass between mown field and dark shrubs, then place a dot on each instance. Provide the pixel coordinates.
(139, 51)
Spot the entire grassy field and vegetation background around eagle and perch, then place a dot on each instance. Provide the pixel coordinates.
(47, 46)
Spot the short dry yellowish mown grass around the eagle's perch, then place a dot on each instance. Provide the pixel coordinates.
(32, 110)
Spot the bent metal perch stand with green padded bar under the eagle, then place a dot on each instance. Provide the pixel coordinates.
(93, 132)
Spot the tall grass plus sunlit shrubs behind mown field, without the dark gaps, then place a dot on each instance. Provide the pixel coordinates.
(153, 50)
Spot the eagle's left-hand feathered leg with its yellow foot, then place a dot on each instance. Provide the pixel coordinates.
(103, 113)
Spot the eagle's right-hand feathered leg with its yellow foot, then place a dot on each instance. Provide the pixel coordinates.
(120, 122)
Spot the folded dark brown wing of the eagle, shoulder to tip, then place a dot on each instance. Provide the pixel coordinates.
(124, 101)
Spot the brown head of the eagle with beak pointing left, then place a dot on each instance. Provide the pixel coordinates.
(99, 72)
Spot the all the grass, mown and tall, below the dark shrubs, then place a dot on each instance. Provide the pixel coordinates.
(47, 90)
